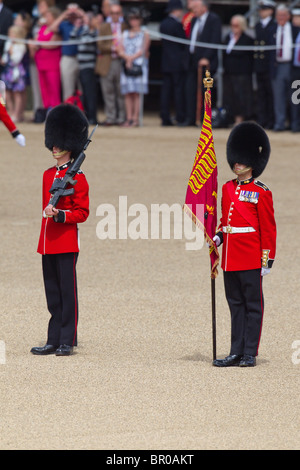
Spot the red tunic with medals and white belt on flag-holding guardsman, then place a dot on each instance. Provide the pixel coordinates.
(248, 226)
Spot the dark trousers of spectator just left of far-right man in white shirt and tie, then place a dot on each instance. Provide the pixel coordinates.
(265, 111)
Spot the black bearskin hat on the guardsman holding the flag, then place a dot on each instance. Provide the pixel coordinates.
(249, 145)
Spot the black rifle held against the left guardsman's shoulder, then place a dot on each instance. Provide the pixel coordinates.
(58, 188)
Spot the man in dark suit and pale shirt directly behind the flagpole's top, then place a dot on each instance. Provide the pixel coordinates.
(205, 27)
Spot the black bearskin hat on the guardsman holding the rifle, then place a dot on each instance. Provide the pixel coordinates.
(66, 127)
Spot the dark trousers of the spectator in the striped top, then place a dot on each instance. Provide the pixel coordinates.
(88, 82)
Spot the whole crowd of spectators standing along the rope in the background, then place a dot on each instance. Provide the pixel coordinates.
(81, 53)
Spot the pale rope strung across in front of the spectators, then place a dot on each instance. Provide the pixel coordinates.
(153, 34)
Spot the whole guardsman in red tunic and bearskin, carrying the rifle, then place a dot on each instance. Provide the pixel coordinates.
(66, 132)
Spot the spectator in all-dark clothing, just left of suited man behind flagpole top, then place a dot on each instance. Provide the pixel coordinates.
(173, 65)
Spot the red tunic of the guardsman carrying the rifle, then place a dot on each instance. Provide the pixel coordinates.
(62, 237)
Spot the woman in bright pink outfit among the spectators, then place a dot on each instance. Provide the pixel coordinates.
(47, 60)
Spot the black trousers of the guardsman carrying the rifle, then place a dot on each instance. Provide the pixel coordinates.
(60, 282)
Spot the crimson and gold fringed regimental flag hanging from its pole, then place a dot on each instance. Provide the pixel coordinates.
(202, 187)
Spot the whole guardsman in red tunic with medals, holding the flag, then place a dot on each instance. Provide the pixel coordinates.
(248, 234)
